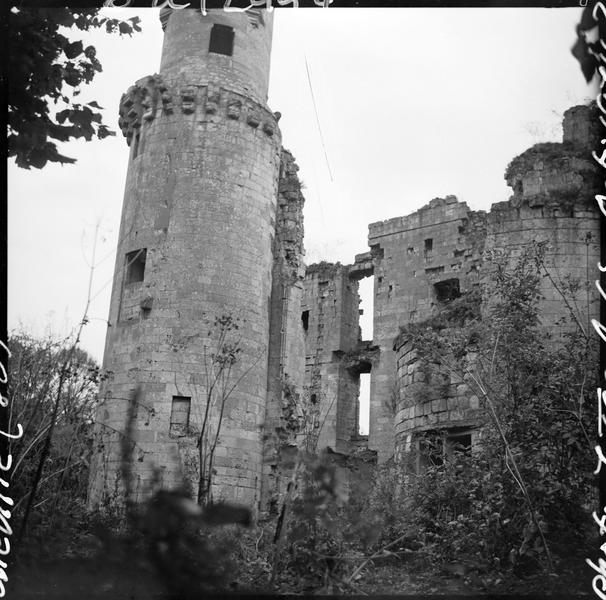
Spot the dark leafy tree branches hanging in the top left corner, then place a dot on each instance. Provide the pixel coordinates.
(45, 73)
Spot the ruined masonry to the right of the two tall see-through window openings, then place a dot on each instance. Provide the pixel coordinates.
(438, 256)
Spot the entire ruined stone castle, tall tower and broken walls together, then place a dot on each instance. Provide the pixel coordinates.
(212, 227)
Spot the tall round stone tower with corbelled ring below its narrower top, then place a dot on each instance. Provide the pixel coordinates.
(195, 251)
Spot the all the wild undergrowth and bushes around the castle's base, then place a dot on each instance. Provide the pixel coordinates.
(514, 508)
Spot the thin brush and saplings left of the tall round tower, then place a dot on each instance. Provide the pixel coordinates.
(42, 373)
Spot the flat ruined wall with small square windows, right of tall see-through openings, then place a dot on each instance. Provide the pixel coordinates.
(421, 262)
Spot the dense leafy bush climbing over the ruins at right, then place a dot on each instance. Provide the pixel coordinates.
(519, 502)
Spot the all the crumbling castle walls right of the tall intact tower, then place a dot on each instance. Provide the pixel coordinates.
(442, 254)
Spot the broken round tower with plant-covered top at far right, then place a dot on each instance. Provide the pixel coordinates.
(553, 206)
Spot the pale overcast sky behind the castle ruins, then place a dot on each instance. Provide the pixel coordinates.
(413, 104)
